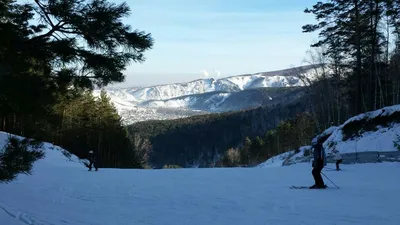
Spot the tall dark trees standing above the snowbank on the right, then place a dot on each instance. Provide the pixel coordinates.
(359, 44)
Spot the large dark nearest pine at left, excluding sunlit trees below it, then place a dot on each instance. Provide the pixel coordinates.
(73, 43)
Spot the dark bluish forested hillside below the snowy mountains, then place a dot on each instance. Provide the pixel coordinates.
(202, 140)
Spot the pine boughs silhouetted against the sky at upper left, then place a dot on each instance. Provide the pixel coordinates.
(88, 34)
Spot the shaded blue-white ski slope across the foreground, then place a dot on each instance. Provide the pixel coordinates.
(63, 192)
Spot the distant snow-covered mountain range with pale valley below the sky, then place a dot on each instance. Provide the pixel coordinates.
(209, 95)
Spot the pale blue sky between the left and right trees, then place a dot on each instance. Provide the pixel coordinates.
(217, 38)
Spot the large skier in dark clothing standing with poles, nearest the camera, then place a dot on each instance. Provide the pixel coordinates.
(318, 164)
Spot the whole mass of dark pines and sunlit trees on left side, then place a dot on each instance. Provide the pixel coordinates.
(52, 54)
